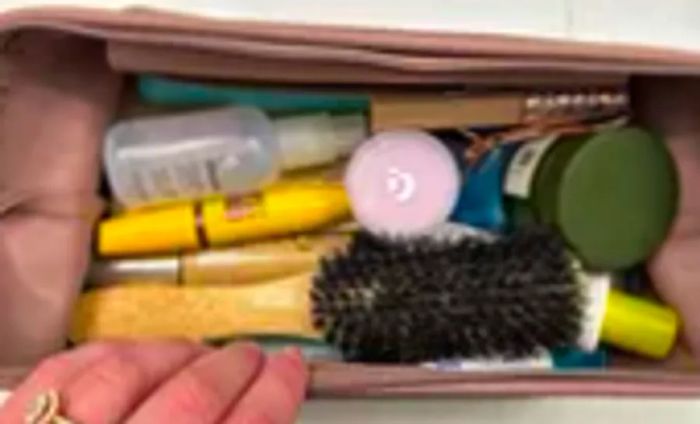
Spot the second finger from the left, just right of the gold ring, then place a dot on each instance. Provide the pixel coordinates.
(108, 391)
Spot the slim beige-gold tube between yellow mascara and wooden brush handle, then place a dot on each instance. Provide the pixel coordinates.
(244, 264)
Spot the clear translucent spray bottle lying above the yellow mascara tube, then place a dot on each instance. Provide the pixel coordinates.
(230, 150)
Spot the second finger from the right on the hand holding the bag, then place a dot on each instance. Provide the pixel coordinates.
(204, 391)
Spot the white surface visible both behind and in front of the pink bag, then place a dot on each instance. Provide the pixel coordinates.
(667, 23)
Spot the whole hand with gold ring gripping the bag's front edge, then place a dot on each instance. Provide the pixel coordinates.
(167, 382)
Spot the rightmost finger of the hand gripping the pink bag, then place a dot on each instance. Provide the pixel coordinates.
(276, 395)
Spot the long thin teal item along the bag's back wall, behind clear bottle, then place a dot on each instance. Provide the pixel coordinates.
(168, 91)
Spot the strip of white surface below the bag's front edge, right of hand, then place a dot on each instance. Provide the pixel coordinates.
(512, 411)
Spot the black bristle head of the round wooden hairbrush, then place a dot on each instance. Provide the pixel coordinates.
(415, 300)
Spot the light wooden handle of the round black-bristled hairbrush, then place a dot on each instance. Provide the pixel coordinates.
(279, 307)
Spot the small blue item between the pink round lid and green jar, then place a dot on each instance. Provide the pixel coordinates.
(481, 200)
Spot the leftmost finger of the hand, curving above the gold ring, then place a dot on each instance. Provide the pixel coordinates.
(51, 374)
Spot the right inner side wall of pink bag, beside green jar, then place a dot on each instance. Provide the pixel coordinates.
(671, 106)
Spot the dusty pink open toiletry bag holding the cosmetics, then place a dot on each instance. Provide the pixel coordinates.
(49, 160)
